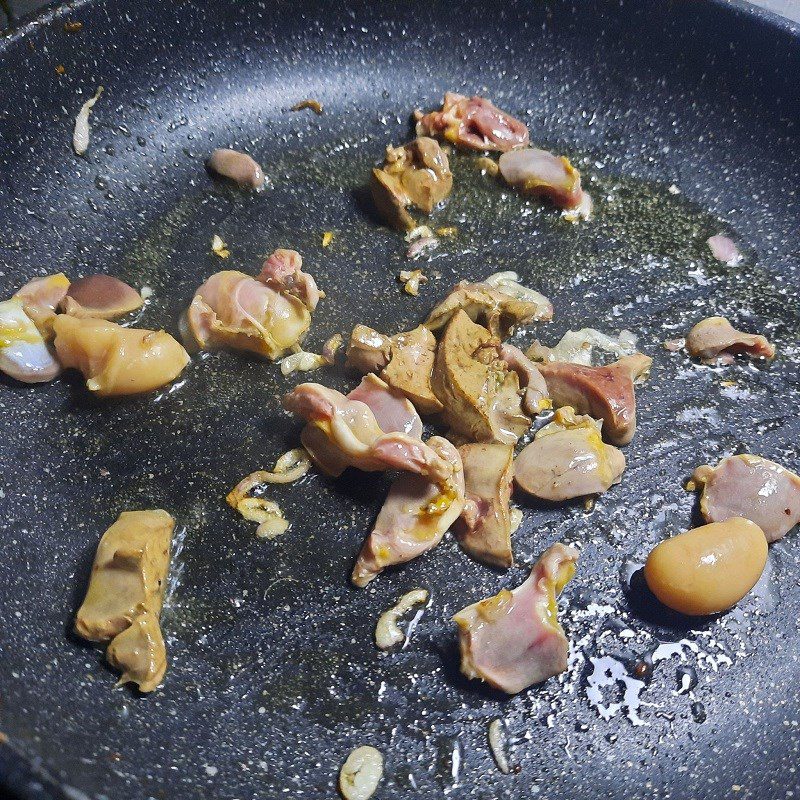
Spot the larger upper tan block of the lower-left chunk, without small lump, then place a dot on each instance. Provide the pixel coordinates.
(128, 575)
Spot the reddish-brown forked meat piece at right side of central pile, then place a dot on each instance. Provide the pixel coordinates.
(605, 393)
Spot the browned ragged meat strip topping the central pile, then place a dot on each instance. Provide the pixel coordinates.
(498, 310)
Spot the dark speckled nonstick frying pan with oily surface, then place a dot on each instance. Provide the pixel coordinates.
(683, 116)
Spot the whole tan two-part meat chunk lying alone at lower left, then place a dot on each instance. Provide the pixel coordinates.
(125, 595)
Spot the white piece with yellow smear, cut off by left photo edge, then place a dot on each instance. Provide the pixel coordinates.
(24, 353)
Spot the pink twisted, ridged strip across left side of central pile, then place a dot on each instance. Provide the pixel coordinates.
(344, 433)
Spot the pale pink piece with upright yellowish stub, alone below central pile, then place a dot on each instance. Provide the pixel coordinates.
(514, 640)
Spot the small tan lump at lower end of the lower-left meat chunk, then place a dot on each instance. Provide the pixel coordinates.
(139, 653)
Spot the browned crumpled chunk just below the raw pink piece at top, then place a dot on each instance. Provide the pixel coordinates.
(416, 177)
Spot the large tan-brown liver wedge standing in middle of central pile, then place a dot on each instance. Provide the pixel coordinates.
(479, 393)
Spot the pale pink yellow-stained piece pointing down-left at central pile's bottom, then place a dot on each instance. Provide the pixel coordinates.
(416, 514)
